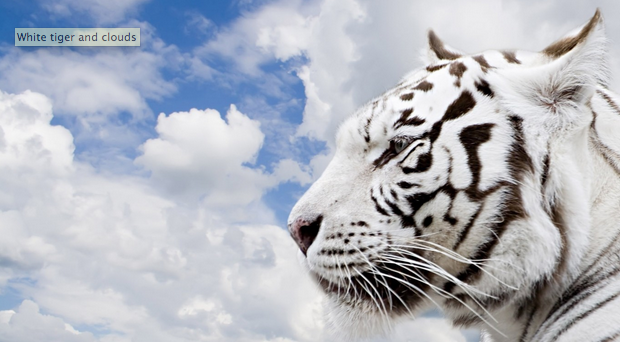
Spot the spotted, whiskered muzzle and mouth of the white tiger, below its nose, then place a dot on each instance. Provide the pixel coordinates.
(375, 272)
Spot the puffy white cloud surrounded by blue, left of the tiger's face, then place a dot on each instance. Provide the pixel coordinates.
(198, 153)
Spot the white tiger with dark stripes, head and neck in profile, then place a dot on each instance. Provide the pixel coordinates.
(486, 184)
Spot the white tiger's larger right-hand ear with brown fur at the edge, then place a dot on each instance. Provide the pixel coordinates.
(566, 76)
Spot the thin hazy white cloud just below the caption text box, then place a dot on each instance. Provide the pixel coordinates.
(89, 86)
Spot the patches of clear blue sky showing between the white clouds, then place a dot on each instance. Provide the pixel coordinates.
(186, 26)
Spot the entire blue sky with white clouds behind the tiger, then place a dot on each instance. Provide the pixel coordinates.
(145, 190)
